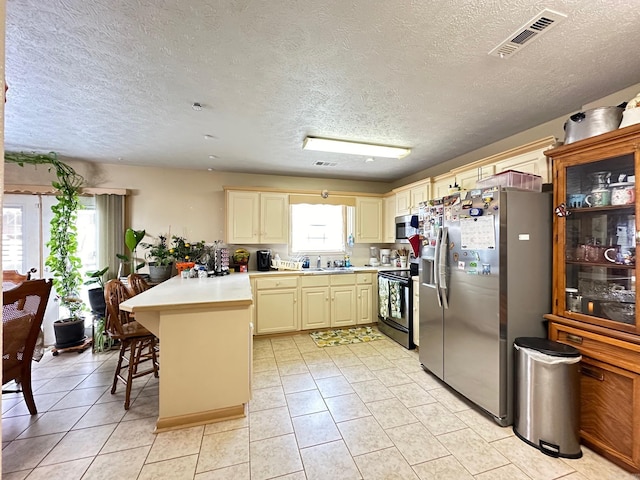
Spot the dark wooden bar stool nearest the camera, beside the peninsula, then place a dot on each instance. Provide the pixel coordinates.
(137, 344)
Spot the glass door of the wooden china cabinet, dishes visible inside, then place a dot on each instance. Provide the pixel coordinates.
(600, 243)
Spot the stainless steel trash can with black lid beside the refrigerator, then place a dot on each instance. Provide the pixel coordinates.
(547, 396)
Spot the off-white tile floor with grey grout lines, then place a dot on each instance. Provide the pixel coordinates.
(360, 411)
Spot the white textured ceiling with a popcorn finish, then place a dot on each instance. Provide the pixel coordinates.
(114, 80)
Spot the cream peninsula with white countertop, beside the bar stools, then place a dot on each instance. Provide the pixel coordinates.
(205, 331)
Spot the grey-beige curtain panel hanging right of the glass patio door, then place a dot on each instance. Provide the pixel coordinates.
(110, 213)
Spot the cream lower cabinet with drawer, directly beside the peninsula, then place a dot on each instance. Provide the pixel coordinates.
(276, 301)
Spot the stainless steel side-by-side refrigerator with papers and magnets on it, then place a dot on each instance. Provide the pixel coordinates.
(485, 279)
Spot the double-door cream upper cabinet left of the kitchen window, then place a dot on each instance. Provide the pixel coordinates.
(257, 217)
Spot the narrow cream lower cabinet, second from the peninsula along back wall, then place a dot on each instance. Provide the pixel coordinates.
(315, 304)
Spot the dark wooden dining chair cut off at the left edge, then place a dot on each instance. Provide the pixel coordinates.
(22, 313)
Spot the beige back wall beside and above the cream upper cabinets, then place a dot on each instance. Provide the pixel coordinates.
(189, 202)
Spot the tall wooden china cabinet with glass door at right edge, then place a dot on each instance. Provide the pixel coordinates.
(594, 284)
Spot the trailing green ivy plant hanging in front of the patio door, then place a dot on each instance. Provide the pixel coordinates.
(63, 245)
